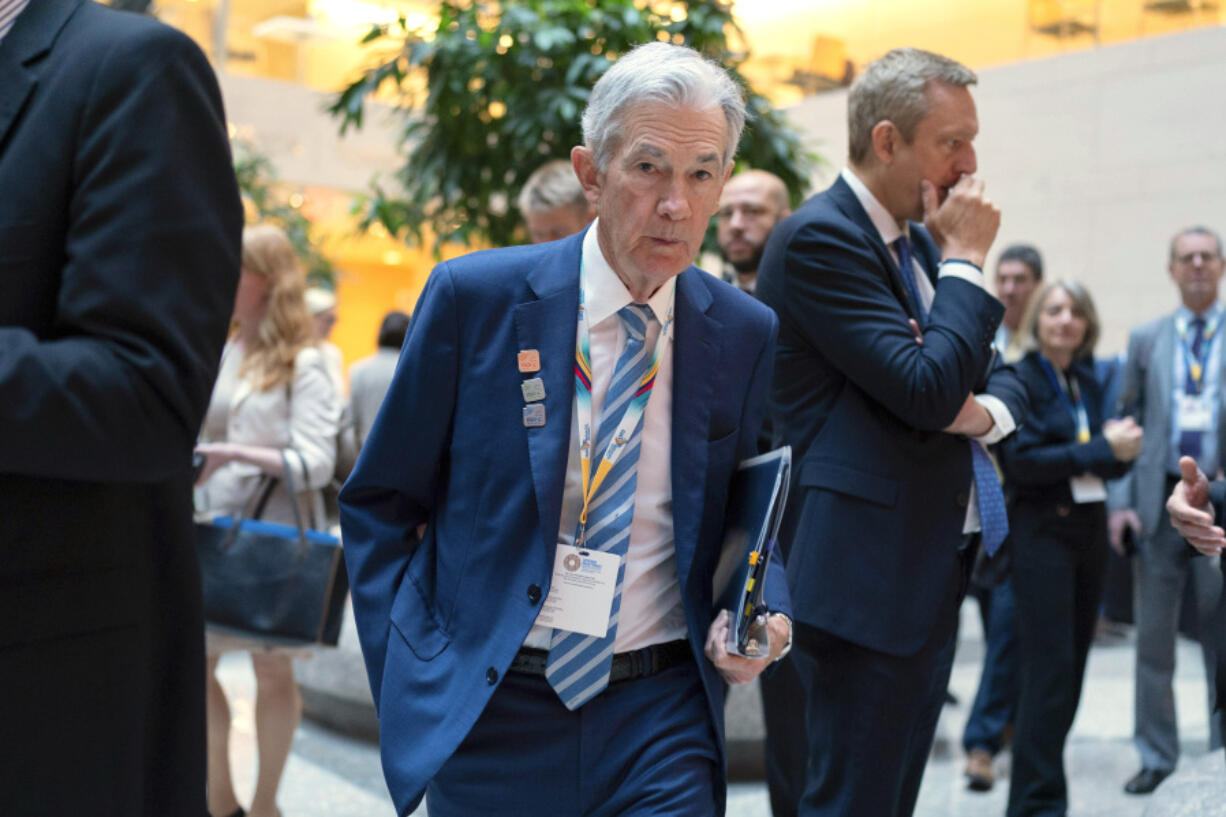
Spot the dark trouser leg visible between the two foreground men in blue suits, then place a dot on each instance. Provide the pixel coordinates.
(788, 751)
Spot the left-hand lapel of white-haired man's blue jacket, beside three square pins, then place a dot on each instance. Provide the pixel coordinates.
(549, 324)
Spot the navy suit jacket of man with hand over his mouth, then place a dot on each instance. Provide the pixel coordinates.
(881, 493)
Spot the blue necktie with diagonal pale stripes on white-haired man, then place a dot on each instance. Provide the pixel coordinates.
(579, 665)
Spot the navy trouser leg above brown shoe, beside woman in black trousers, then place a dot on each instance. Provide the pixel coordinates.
(996, 704)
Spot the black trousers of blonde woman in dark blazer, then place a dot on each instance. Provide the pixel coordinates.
(1060, 565)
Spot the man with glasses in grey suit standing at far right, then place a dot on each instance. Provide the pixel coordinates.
(1174, 387)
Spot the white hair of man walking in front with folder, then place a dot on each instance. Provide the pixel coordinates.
(672, 75)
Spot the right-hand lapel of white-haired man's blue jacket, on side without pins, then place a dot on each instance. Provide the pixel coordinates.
(695, 359)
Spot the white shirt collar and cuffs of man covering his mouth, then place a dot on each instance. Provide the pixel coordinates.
(891, 231)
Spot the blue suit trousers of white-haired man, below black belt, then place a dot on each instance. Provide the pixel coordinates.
(642, 748)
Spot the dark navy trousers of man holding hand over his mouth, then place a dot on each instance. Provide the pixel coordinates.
(871, 717)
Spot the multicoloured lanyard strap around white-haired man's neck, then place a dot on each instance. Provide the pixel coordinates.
(631, 418)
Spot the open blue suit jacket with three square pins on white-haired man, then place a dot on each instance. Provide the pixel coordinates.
(442, 618)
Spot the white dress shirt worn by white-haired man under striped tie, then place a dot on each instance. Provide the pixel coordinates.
(652, 599)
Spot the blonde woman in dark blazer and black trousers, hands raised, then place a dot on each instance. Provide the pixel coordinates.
(1055, 467)
